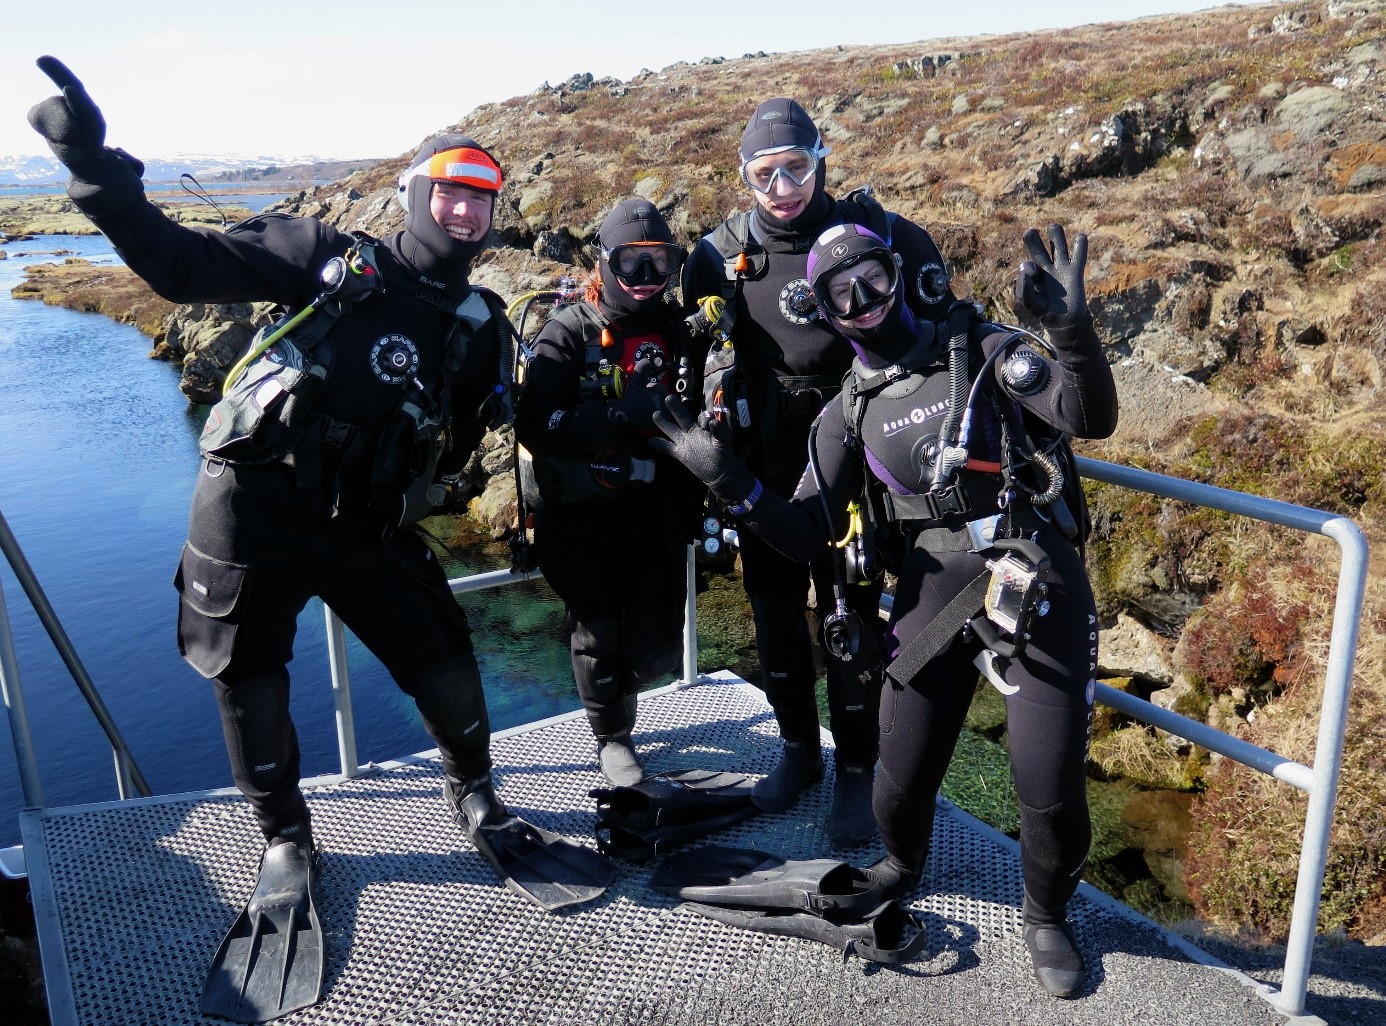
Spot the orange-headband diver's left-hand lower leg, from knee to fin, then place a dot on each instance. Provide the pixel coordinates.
(263, 748)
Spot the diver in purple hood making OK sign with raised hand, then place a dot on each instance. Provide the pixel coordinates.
(953, 439)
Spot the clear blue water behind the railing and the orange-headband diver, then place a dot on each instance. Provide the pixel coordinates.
(98, 460)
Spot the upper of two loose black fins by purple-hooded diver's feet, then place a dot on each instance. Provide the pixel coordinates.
(757, 880)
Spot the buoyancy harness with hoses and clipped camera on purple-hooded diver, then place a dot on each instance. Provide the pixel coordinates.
(954, 514)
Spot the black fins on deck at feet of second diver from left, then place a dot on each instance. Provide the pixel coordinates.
(649, 819)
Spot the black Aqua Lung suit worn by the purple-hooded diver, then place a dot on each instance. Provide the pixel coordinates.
(884, 444)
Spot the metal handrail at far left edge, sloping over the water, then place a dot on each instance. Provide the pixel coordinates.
(127, 770)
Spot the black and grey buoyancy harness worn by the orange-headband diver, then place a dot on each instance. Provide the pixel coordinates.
(268, 412)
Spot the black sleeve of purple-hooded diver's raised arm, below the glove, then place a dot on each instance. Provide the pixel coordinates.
(1076, 393)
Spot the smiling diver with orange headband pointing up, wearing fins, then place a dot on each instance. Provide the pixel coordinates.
(328, 446)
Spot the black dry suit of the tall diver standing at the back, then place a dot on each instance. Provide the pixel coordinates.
(792, 363)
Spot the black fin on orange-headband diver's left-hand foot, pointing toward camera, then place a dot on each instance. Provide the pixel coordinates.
(272, 960)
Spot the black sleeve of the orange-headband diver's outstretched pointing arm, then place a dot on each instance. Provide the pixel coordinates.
(264, 259)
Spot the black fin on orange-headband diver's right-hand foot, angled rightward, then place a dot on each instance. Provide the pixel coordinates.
(537, 864)
